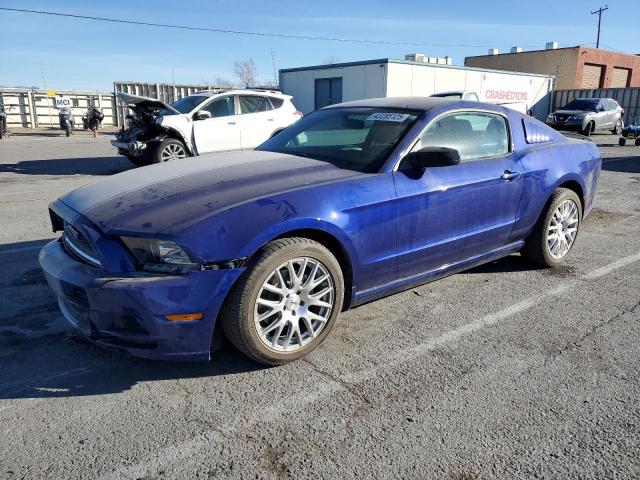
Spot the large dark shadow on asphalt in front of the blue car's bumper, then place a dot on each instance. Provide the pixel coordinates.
(42, 356)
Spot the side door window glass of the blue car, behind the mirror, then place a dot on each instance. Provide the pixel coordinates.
(474, 134)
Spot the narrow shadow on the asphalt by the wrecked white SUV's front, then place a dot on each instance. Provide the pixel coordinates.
(70, 166)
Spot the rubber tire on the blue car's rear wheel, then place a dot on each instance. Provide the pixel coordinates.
(539, 245)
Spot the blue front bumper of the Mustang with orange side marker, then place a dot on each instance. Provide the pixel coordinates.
(129, 311)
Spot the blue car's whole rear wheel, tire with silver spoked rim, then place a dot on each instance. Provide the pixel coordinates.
(556, 230)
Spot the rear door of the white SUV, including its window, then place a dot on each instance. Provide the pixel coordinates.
(257, 120)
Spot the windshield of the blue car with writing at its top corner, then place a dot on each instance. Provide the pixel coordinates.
(357, 139)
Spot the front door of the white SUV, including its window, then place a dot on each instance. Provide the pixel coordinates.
(221, 132)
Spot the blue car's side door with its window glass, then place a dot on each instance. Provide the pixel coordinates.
(449, 214)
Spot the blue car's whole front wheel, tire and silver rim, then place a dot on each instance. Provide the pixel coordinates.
(242, 309)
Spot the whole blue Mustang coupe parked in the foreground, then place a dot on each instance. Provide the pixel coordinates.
(353, 202)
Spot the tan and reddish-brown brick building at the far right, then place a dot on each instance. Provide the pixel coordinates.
(573, 67)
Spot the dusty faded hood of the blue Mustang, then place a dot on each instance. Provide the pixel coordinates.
(167, 198)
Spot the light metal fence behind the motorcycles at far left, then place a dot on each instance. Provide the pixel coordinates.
(35, 108)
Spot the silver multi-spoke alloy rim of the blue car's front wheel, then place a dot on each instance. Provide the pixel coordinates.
(294, 304)
